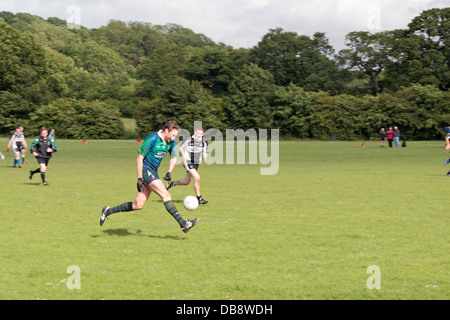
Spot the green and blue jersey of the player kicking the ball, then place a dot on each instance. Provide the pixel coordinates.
(154, 149)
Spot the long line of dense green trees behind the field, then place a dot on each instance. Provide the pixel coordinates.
(82, 82)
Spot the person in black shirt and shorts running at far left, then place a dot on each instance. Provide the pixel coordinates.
(42, 148)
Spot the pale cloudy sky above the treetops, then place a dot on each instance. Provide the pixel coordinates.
(238, 23)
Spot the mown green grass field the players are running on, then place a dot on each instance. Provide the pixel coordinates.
(310, 232)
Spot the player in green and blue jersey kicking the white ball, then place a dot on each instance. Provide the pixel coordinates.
(151, 153)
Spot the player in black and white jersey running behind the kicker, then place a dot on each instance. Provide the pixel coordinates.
(192, 151)
